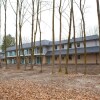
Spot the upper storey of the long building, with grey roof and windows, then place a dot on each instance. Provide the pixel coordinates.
(47, 46)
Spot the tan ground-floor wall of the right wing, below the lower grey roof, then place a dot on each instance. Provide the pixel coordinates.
(90, 59)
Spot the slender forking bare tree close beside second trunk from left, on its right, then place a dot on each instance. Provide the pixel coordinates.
(22, 12)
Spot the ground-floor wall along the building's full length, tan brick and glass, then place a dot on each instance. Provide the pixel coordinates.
(90, 59)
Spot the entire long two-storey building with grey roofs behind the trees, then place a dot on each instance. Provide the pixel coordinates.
(92, 49)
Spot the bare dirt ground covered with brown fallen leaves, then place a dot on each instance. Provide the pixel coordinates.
(33, 85)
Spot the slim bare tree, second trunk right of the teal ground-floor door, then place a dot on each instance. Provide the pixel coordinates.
(60, 13)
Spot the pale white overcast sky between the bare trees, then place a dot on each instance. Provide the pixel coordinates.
(46, 20)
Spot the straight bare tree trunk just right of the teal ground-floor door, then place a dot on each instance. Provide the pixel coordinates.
(53, 37)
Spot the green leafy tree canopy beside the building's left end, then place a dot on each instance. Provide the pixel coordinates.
(10, 41)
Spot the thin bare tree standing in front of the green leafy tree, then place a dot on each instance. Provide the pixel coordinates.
(5, 24)
